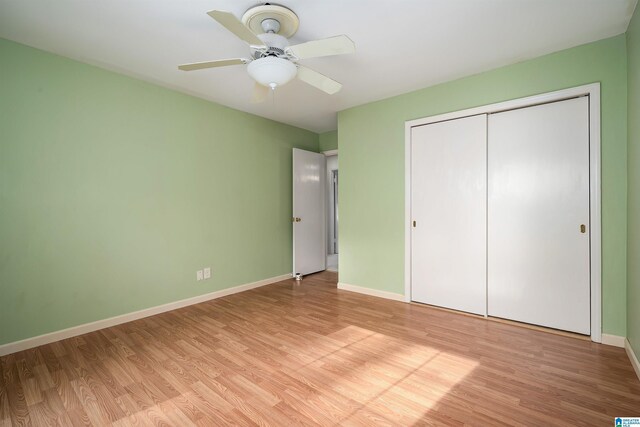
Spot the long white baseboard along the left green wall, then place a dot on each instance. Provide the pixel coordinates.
(74, 331)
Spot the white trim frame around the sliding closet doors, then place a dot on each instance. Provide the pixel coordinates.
(595, 240)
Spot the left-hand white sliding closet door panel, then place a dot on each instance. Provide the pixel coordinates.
(448, 207)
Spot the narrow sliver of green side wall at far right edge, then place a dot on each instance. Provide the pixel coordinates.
(633, 163)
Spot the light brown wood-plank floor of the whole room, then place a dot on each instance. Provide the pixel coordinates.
(309, 354)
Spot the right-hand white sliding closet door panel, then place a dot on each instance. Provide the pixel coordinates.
(538, 215)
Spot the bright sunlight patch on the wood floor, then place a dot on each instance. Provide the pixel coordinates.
(376, 373)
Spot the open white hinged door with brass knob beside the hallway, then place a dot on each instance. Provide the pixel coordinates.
(309, 222)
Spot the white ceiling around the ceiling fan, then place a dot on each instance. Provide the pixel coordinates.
(402, 45)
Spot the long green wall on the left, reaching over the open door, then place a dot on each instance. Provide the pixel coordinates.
(113, 192)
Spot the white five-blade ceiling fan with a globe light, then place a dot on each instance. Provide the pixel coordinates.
(273, 62)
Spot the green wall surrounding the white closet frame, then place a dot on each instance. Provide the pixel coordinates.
(372, 163)
